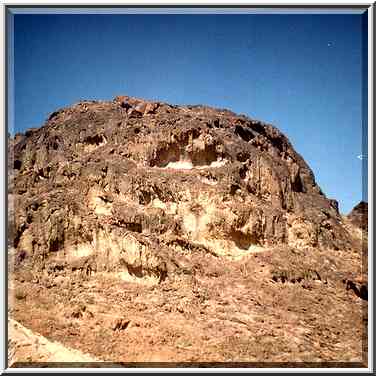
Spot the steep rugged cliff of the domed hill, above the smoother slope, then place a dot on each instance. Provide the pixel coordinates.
(101, 172)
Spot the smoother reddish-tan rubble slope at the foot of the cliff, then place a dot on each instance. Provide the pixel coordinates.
(263, 310)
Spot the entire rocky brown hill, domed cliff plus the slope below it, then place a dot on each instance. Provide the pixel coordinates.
(164, 202)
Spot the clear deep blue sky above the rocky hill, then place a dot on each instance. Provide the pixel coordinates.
(301, 73)
